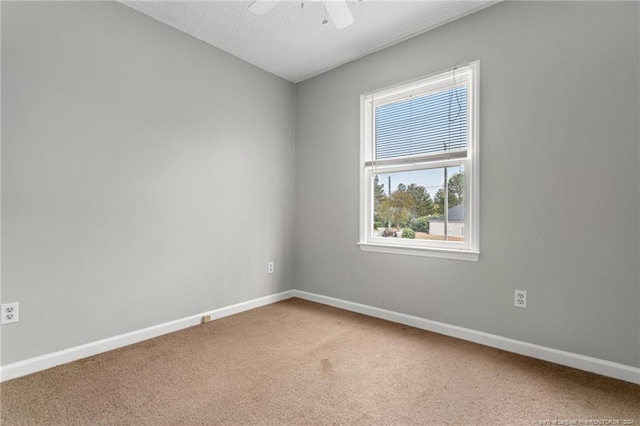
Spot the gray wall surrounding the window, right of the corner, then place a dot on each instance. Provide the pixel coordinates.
(558, 179)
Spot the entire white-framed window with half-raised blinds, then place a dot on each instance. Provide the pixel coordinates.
(419, 167)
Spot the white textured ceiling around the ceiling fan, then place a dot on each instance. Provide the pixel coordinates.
(291, 42)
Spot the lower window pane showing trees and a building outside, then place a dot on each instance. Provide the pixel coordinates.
(413, 205)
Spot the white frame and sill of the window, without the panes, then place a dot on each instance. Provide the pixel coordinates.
(467, 250)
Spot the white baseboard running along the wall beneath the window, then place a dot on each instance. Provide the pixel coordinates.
(569, 359)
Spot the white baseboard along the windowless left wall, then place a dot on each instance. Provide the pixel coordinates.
(43, 362)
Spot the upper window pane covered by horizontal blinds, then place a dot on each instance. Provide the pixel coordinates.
(420, 125)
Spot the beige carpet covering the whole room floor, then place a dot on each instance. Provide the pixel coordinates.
(301, 363)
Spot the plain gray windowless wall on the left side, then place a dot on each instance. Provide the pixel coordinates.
(146, 176)
